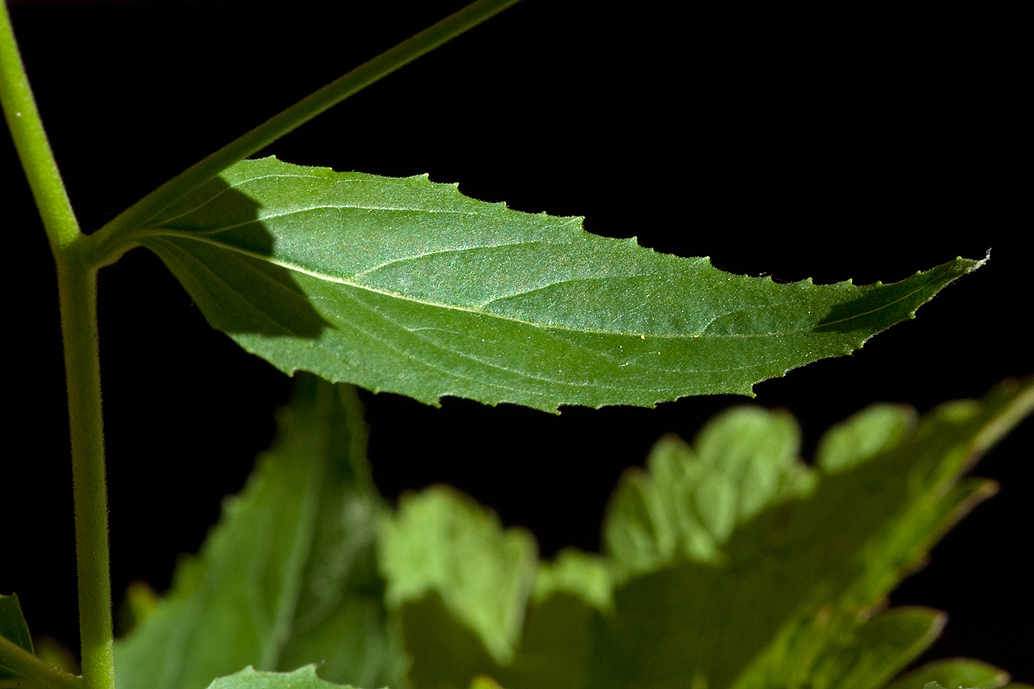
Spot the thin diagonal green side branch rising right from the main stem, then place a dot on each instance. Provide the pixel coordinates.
(111, 239)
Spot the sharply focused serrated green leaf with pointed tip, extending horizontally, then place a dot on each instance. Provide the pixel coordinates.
(407, 286)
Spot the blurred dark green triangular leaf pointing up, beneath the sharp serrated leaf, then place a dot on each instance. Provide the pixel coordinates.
(290, 576)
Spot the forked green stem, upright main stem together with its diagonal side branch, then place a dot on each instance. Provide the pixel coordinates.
(79, 258)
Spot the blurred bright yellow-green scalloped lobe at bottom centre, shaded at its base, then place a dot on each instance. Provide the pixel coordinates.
(461, 583)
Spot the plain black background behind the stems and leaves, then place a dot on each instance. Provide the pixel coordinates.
(850, 141)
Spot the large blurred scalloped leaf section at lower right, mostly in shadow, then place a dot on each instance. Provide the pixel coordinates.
(826, 551)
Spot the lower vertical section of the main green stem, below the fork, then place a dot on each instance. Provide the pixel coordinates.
(78, 290)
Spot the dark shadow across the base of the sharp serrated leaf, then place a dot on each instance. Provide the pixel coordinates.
(221, 254)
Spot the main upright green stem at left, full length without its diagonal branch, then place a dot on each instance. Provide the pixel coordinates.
(77, 291)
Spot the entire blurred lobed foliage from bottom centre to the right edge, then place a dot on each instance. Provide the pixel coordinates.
(731, 563)
